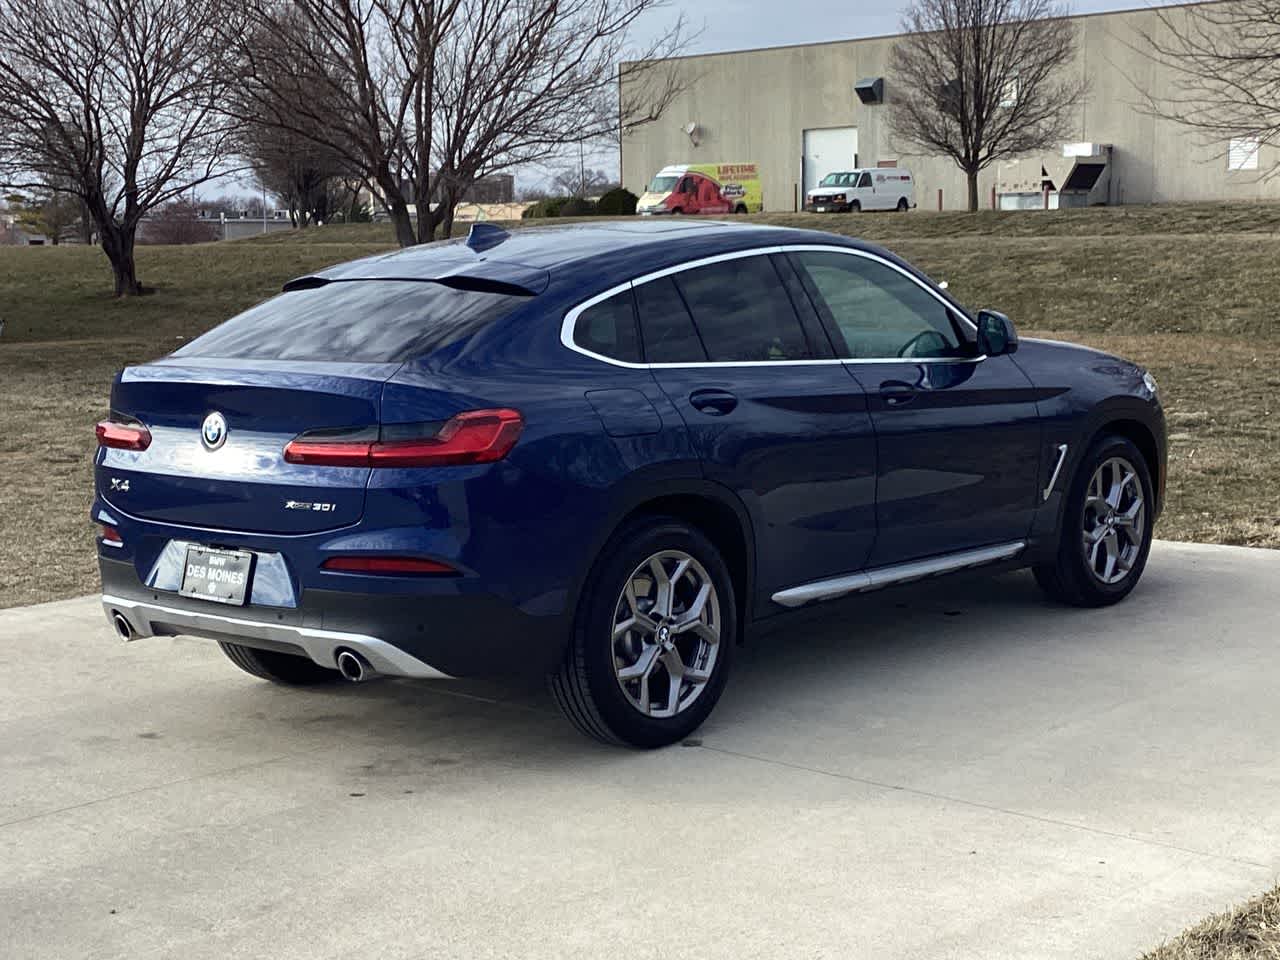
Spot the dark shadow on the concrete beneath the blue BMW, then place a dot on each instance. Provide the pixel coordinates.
(840, 650)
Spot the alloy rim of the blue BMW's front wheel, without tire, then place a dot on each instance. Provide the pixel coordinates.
(1114, 520)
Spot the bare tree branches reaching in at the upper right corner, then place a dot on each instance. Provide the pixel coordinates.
(1226, 63)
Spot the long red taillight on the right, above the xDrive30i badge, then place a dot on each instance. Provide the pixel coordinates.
(474, 437)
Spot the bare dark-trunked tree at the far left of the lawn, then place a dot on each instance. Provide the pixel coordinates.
(112, 102)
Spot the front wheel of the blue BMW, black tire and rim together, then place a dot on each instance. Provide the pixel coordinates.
(1084, 575)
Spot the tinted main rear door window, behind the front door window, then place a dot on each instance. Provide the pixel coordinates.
(743, 312)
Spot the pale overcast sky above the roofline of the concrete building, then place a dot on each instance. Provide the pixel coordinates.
(738, 25)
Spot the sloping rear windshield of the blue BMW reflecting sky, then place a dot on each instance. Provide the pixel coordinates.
(355, 321)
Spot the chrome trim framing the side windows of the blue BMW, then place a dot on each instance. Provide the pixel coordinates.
(573, 316)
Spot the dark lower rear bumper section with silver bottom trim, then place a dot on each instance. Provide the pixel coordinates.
(405, 636)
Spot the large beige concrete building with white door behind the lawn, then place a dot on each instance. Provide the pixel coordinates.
(796, 112)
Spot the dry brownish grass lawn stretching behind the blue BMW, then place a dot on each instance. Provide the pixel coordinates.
(1186, 290)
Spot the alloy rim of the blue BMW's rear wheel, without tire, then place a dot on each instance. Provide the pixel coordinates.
(666, 634)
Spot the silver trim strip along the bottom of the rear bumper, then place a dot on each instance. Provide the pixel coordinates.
(321, 646)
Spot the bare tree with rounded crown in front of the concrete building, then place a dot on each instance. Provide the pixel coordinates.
(984, 80)
